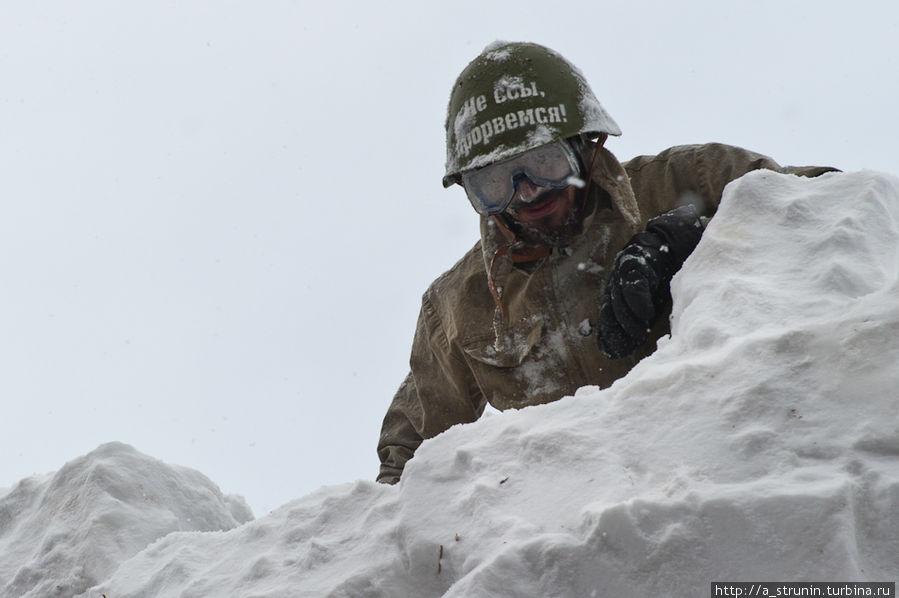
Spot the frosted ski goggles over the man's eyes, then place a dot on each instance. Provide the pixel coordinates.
(491, 189)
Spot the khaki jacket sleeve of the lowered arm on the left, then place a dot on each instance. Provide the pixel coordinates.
(439, 392)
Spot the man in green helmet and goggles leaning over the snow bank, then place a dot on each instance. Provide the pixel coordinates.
(569, 285)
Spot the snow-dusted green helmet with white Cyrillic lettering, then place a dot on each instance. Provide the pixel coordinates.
(514, 97)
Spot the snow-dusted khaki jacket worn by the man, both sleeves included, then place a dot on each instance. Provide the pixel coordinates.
(545, 347)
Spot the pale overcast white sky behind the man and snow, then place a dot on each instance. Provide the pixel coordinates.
(217, 218)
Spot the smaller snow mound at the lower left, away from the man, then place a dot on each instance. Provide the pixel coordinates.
(62, 534)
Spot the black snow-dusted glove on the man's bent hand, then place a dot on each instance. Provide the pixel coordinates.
(638, 289)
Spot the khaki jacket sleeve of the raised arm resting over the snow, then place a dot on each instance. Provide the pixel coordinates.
(697, 174)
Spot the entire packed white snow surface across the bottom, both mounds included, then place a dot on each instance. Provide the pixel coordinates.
(760, 442)
